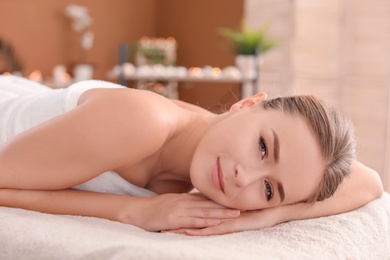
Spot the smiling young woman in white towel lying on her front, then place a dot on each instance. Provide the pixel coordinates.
(71, 151)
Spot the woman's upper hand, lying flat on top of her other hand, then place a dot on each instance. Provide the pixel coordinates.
(177, 212)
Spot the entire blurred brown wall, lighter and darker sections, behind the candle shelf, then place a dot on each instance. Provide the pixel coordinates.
(43, 38)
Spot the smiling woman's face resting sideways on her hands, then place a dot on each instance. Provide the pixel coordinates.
(257, 159)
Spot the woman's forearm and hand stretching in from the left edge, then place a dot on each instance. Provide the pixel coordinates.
(169, 211)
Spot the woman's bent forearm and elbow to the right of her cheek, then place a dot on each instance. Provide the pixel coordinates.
(362, 186)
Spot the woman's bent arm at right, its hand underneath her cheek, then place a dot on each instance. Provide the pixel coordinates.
(362, 186)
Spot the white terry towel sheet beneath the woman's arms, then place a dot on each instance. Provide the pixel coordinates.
(360, 234)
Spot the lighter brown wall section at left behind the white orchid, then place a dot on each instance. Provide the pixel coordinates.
(42, 36)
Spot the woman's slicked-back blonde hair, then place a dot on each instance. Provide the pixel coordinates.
(334, 133)
